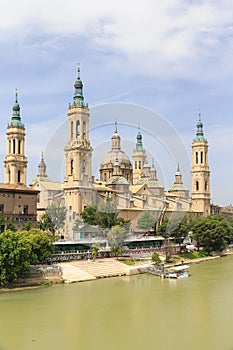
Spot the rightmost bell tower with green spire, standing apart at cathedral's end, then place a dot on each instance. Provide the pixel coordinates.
(200, 172)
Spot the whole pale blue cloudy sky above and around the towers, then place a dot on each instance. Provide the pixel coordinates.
(171, 58)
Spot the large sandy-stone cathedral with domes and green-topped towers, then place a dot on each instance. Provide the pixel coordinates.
(131, 184)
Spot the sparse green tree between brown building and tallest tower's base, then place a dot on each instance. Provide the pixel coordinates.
(57, 213)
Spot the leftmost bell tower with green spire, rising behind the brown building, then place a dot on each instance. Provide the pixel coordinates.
(15, 163)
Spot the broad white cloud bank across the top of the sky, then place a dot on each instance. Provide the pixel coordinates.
(171, 38)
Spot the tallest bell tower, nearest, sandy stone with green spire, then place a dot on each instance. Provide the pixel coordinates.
(78, 151)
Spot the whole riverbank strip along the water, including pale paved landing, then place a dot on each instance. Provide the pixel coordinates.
(87, 270)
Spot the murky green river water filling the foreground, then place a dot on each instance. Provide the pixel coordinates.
(138, 312)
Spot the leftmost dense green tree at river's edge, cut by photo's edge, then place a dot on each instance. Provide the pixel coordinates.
(15, 255)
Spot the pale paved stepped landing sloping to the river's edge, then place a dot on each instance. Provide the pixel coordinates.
(86, 270)
